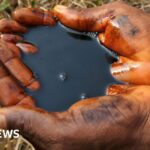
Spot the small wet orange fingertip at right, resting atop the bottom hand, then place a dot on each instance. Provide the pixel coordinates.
(117, 89)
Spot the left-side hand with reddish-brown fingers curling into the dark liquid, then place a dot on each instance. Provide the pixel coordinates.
(11, 92)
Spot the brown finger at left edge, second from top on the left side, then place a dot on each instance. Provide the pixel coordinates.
(11, 26)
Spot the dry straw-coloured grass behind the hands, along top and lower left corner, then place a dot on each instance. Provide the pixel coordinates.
(7, 6)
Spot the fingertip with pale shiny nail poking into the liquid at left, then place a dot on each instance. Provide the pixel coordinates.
(27, 47)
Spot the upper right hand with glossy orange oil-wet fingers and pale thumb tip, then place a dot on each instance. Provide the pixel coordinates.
(121, 28)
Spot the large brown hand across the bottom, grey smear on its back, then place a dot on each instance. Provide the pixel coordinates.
(120, 121)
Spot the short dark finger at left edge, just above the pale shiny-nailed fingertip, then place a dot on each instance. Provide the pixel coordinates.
(11, 38)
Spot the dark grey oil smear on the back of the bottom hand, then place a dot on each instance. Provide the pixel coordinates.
(106, 111)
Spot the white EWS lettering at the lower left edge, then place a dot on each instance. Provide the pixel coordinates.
(9, 133)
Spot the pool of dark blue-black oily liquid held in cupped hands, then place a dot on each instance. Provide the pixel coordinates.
(69, 67)
